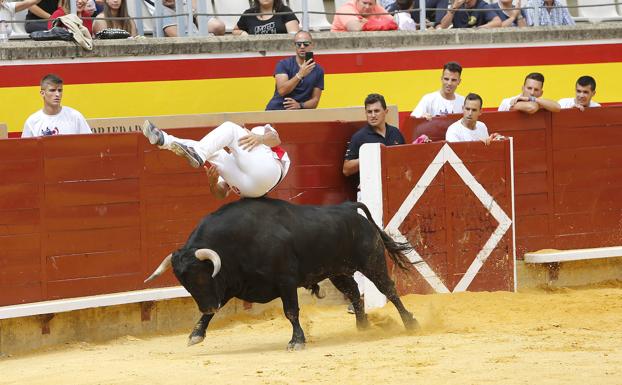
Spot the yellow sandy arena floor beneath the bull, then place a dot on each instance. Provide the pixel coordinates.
(565, 336)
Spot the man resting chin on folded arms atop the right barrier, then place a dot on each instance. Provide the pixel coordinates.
(530, 100)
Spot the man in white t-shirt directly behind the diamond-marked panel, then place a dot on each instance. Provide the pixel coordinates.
(469, 129)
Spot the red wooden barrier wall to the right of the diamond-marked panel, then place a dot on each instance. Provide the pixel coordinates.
(567, 174)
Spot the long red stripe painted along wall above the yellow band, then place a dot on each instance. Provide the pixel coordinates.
(216, 68)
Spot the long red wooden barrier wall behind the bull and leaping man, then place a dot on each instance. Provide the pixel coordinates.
(83, 215)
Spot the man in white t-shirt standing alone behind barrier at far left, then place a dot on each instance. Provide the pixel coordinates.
(54, 119)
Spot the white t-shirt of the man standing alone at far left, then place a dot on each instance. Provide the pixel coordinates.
(67, 121)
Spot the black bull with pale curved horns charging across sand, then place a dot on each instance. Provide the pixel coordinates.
(261, 249)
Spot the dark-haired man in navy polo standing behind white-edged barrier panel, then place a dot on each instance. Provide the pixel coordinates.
(376, 131)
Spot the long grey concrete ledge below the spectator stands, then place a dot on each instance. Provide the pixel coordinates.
(262, 44)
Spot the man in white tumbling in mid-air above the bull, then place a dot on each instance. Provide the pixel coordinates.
(254, 165)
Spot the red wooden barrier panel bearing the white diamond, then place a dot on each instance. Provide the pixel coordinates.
(454, 206)
